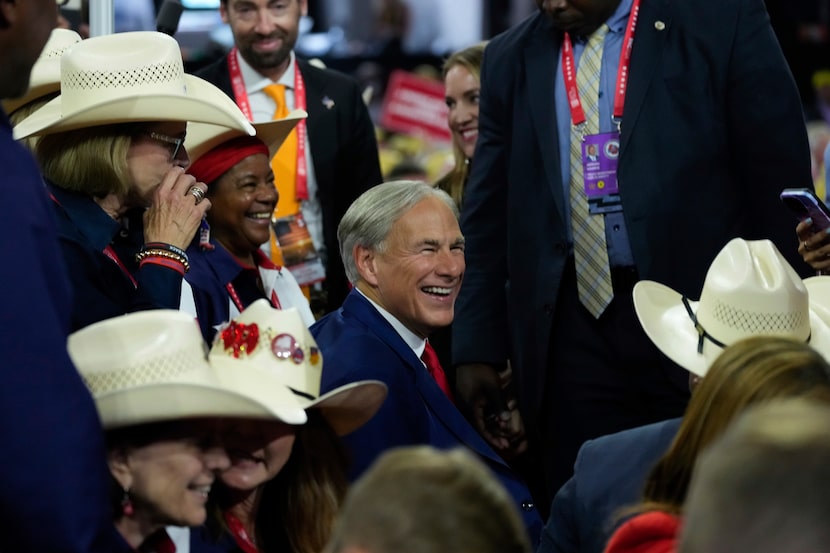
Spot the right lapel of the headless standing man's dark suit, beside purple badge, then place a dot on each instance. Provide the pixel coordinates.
(649, 43)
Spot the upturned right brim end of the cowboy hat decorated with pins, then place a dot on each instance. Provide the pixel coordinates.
(349, 407)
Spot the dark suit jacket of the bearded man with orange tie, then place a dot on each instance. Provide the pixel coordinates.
(343, 148)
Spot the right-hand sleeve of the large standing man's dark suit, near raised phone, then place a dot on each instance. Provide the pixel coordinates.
(770, 150)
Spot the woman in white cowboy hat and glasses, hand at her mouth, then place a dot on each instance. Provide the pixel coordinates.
(111, 150)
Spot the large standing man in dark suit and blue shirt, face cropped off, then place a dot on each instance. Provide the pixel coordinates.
(711, 131)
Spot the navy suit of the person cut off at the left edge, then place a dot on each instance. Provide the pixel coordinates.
(54, 489)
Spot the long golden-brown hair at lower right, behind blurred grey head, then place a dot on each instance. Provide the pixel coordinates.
(752, 371)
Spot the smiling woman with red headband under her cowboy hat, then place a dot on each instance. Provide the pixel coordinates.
(228, 270)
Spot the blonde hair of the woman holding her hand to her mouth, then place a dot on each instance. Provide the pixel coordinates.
(91, 161)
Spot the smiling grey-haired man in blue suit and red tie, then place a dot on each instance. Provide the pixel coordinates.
(404, 252)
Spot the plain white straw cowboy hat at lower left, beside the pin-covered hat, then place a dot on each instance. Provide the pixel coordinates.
(151, 366)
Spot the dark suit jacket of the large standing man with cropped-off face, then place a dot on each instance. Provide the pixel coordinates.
(712, 132)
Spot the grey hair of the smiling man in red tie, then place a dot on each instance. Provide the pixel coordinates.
(369, 219)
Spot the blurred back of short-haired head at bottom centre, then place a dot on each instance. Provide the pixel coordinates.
(421, 500)
